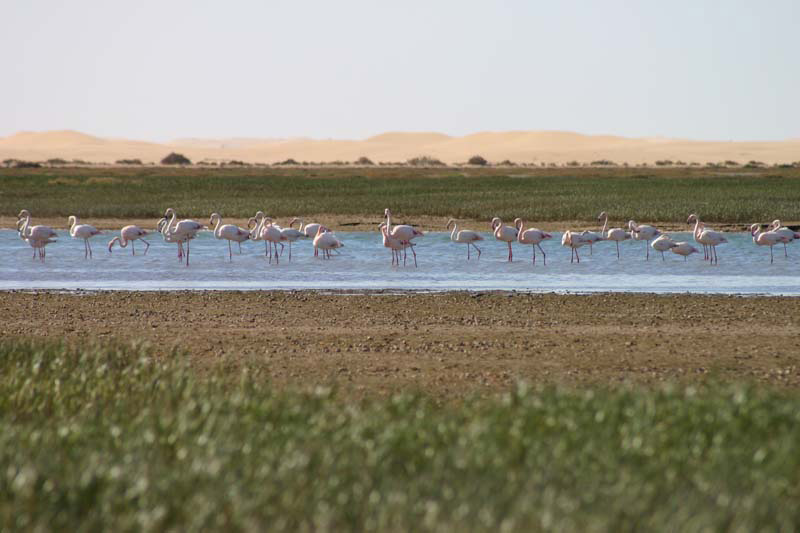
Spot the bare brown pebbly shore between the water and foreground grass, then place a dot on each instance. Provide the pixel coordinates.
(448, 344)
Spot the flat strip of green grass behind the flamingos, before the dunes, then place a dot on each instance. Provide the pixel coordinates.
(655, 195)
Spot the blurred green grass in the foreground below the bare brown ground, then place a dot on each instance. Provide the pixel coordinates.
(112, 439)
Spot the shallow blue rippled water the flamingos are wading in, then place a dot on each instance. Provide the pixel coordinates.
(364, 264)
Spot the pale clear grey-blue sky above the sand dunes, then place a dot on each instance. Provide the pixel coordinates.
(166, 69)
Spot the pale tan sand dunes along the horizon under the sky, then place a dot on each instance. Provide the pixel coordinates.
(518, 146)
